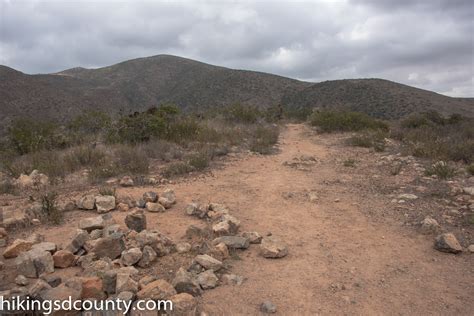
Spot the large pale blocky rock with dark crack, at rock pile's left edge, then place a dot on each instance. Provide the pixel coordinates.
(33, 263)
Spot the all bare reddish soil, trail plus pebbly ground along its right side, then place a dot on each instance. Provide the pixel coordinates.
(354, 246)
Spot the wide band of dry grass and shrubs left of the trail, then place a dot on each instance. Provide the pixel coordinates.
(128, 144)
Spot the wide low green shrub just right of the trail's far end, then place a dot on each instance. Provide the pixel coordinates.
(340, 121)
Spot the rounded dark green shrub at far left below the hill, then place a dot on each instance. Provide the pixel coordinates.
(29, 135)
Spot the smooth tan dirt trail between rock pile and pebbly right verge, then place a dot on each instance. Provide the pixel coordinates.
(341, 260)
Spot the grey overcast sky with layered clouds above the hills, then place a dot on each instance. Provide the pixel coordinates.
(427, 44)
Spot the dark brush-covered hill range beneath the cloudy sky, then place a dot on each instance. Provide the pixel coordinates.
(137, 84)
